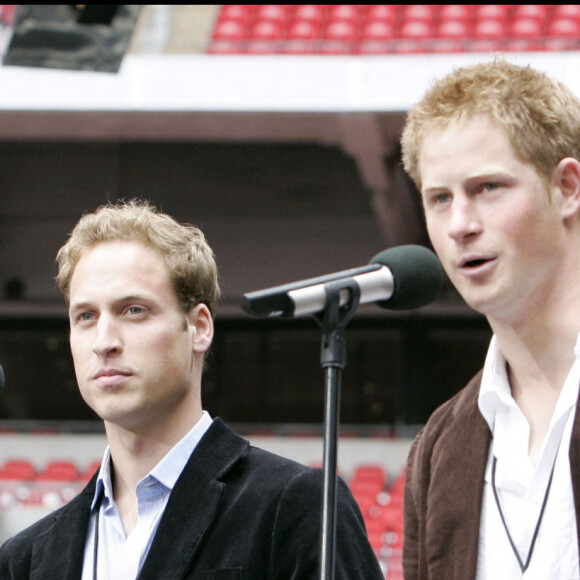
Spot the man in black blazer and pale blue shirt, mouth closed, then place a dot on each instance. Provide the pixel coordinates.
(179, 495)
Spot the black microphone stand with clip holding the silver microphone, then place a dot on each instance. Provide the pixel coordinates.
(334, 320)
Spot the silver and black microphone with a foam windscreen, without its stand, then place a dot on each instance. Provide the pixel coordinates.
(399, 278)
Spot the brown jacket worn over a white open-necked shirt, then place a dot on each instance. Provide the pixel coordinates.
(444, 489)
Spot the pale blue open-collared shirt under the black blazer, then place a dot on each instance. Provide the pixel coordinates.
(121, 557)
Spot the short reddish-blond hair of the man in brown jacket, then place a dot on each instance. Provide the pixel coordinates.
(541, 116)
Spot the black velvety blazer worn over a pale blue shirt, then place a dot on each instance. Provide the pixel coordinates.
(236, 512)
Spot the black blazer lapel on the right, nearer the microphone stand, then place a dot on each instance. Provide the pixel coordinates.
(193, 504)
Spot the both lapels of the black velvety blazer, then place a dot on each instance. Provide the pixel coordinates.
(191, 509)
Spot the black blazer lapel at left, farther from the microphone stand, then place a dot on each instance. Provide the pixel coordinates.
(64, 561)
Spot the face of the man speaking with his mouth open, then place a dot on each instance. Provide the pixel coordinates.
(490, 220)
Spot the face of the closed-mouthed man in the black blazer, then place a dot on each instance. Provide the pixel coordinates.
(136, 354)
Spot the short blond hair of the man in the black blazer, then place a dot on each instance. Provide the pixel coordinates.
(188, 257)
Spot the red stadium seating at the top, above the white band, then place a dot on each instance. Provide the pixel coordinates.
(356, 29)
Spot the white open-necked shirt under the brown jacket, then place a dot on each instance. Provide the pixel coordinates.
(521, 486)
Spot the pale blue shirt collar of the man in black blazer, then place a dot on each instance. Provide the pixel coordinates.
(166, 472)
